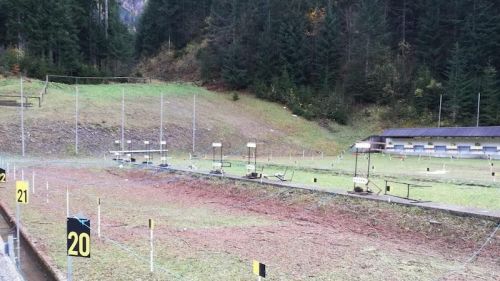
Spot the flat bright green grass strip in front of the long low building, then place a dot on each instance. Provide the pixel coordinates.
(464, 185)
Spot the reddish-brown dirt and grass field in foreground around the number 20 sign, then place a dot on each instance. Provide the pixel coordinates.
(212, 230)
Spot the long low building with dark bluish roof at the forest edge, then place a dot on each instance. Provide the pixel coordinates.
(463, 142)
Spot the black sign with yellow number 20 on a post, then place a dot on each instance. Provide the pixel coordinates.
(78, 235)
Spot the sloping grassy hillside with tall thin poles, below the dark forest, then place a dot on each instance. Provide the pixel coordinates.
(50, 129)
